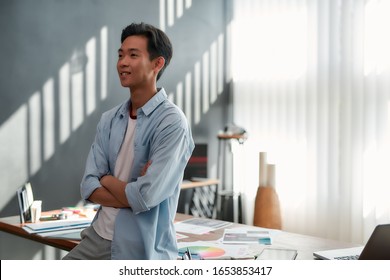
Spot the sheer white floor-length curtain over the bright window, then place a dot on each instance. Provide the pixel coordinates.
(311, 85)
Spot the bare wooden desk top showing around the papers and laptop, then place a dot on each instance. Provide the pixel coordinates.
(305, 245)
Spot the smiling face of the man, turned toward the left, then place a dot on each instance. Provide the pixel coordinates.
(134, 66)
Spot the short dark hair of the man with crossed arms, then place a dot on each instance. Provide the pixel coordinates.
(158, 42)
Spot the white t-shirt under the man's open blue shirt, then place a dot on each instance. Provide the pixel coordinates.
(104, 224)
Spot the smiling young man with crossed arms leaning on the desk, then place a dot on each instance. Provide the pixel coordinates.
(136, 163)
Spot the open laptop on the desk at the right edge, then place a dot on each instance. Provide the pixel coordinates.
(377, 248)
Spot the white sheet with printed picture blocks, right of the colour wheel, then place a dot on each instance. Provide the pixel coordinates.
(243, 235)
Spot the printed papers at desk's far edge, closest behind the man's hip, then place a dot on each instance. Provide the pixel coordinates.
(200, 226)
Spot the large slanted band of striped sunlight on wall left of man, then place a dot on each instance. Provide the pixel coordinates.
(29, 136)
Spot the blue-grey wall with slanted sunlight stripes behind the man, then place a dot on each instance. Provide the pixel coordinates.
(46, 142)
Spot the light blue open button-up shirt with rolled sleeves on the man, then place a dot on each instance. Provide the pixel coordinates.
(162, 136)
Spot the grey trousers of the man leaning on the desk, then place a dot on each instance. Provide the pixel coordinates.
(91, 247)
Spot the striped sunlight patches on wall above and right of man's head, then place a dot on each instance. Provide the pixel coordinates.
(200, 87)
